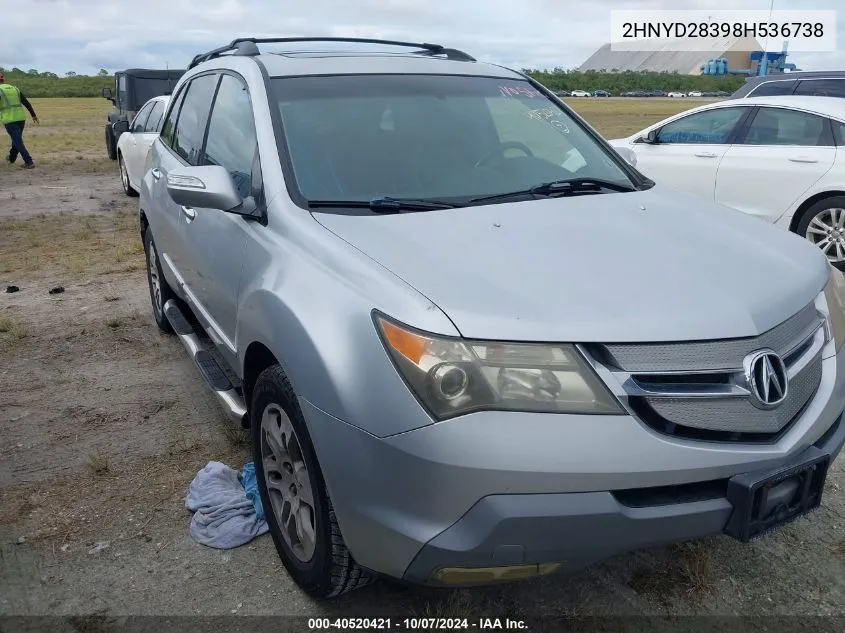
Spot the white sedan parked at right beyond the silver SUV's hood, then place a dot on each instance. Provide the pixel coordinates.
(781, 159)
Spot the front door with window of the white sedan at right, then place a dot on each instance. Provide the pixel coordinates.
(688, 150)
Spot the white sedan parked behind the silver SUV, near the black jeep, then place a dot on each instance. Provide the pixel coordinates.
(134, 144)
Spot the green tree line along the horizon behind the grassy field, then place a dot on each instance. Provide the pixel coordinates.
(47, 84)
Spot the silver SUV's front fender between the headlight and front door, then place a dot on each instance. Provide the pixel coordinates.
(326, 341)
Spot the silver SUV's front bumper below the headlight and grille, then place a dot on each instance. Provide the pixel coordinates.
(499, 489)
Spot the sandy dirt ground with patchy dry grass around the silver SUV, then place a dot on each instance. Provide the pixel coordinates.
(104, 422)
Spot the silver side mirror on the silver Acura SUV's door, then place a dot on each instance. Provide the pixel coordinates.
(205, 187)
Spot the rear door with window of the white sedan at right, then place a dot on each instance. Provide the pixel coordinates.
(780, 154)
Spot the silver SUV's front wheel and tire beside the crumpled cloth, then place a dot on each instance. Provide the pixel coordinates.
(327, 569)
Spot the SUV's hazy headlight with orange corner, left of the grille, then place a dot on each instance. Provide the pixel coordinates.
(455, 376)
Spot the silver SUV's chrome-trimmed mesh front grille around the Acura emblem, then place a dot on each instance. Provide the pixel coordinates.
(699, 389)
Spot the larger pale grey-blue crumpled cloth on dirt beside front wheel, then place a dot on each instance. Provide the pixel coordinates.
(223, 516)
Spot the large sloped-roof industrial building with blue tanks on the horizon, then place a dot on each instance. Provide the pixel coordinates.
(742, 55)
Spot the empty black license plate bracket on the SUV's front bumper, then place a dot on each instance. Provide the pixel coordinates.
(764, 501)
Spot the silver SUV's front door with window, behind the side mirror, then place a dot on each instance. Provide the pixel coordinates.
(214, 241)
